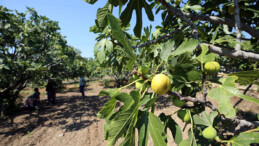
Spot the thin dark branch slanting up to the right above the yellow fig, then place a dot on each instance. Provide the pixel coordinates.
(160, 38)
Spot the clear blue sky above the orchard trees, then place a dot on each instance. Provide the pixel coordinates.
(75, 18)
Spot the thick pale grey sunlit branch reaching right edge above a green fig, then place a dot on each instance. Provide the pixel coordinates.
(232, 53)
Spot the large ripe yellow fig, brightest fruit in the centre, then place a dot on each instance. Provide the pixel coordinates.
(160, 84)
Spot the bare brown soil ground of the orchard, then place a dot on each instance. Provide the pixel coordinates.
(73, 120)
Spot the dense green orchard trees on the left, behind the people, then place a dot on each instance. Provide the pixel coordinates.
(32, 50)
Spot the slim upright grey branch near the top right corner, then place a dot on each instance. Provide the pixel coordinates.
(237, 25)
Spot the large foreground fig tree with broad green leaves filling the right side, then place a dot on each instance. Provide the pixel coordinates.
(192, 33)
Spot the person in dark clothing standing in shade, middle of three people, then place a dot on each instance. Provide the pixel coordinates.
(51, 91)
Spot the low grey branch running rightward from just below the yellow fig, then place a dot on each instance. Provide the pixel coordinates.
(235, 120)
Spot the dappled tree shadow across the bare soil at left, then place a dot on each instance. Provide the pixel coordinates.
(70, 113)
